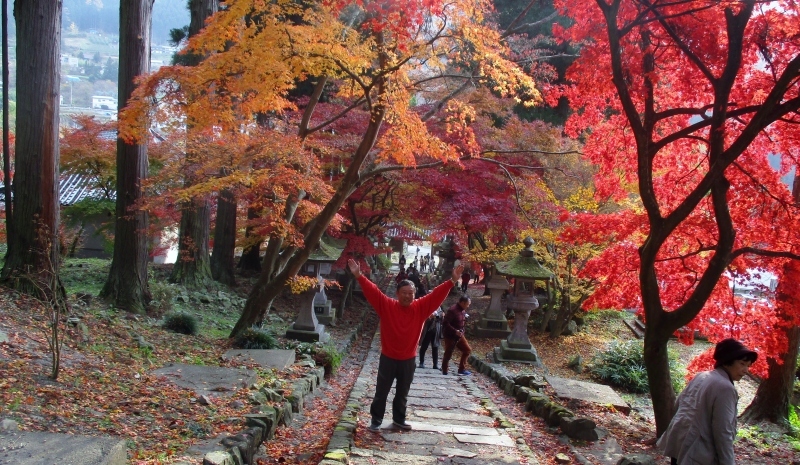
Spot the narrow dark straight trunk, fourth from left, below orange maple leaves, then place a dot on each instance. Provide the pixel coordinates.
(222, 259)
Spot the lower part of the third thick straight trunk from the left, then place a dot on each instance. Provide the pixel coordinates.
(193, 267)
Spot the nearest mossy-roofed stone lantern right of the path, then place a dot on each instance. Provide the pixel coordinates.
(531, 279)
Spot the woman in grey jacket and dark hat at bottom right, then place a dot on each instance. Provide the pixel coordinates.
(704, 426)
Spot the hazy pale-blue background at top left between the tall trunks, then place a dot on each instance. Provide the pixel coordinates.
(103, 15)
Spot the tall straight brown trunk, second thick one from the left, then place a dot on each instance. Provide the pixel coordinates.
(127, 280)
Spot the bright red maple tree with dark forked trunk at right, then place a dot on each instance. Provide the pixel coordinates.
(682, 104)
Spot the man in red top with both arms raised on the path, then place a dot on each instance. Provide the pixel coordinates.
(401, 326)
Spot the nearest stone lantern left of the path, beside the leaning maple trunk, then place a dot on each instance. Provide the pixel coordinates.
(316, 310)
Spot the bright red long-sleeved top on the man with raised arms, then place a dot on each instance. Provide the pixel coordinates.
(401, 326)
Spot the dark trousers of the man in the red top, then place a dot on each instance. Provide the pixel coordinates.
(390, 369)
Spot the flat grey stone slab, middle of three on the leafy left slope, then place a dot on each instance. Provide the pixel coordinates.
(207, 380)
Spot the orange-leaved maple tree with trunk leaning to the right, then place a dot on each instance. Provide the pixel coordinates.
(369, 61)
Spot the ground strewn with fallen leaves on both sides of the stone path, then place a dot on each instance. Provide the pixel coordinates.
(104, 385)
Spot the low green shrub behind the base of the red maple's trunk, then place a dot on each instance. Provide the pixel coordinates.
(622, 365)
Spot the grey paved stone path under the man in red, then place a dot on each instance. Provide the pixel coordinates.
(453, 422)
